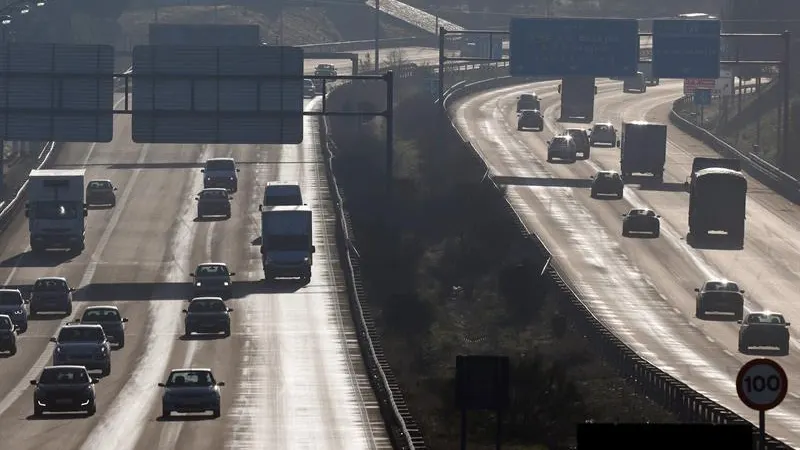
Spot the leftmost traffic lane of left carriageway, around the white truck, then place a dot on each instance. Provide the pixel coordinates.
(21, 268)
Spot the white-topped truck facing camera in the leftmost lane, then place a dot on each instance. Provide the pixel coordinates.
(56, 209)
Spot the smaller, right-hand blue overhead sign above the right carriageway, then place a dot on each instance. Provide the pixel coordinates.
(686, 48)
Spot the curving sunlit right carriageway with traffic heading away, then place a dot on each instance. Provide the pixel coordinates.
(643, 288)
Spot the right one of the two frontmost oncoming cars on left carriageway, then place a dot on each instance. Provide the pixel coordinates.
(191, 391)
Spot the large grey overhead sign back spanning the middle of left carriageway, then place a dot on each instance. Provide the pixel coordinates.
(232, 94)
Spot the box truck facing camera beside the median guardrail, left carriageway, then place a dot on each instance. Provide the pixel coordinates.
(287, 248)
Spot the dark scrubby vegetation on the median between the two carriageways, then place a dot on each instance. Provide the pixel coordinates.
(447, 273)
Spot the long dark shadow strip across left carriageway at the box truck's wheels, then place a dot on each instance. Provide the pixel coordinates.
(113, 292)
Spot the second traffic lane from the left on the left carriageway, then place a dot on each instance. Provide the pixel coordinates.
(122, 261)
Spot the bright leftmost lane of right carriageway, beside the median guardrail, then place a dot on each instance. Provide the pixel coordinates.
(584, 235)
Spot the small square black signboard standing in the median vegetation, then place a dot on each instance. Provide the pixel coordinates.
(482, 382)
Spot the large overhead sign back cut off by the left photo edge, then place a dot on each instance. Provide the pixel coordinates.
(56, 92)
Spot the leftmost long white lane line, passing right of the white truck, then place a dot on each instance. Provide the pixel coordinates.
(41, 362)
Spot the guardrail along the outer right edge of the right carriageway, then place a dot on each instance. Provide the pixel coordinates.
(756, 166)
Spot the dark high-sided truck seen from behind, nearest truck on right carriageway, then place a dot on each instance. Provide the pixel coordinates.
(717, 200)
